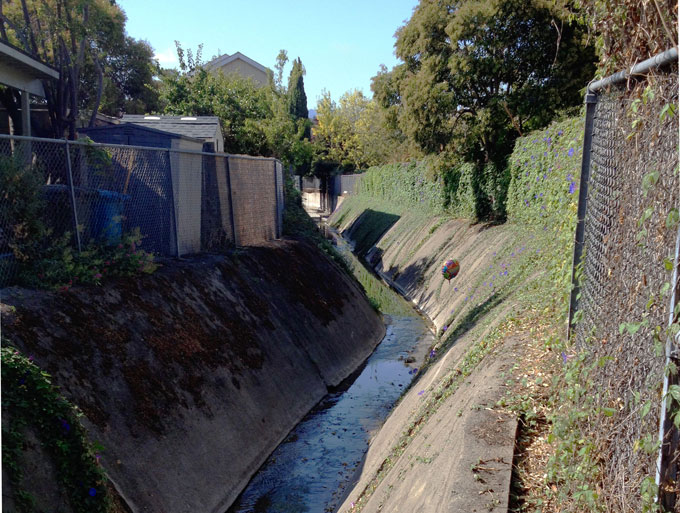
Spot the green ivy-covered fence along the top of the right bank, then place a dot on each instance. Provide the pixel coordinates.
(539, 186)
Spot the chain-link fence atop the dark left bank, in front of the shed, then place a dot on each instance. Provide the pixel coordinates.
(182, 202)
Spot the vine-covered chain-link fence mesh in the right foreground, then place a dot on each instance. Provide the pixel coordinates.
(630, 194)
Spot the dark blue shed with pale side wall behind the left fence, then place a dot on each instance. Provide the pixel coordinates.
(170, 181)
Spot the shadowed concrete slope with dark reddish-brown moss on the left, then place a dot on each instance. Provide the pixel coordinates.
(190, 377)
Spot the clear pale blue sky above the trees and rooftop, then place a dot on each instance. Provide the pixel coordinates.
(341, 42)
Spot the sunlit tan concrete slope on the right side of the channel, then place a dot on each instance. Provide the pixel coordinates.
(447, 446)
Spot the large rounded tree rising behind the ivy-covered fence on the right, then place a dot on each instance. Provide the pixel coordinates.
(476, 74)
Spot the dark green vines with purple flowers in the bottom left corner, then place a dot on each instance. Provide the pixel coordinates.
(31, 402)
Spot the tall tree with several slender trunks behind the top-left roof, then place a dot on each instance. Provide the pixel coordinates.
(75, 37)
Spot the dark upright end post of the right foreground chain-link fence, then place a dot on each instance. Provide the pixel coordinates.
(591, 104)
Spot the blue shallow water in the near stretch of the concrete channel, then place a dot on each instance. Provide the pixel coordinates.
(311, 470)
